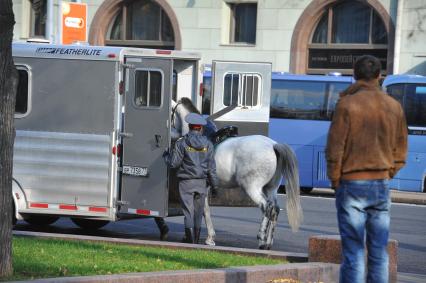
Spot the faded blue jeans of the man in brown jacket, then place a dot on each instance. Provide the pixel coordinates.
(363, 216)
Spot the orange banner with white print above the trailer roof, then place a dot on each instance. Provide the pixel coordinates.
(74, 24)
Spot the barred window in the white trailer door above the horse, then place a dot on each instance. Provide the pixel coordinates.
(241, 90)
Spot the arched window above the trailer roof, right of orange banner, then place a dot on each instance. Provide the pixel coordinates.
(141, 23)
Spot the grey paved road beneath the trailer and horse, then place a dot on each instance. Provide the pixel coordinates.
(238, 227)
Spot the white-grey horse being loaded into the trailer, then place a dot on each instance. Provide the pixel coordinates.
(255, 164)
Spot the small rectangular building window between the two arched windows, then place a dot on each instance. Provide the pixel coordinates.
(243, 23)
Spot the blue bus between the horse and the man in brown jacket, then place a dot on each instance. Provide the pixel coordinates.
(301, 110)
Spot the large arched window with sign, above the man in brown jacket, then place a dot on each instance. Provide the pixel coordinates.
(345, 31)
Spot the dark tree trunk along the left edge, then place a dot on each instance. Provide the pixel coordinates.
(8, 86)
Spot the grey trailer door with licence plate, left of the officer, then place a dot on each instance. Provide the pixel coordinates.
(146, 134)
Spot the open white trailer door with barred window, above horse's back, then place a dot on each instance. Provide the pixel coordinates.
(241, 95)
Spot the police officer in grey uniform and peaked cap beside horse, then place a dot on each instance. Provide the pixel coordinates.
(194, 159)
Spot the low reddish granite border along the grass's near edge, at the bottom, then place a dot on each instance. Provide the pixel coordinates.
(289, 273)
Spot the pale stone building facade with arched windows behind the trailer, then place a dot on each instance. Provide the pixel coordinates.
(298, 36)
